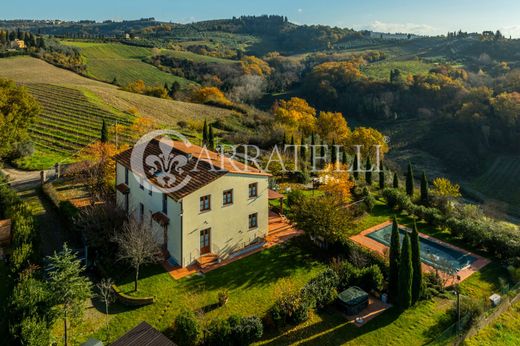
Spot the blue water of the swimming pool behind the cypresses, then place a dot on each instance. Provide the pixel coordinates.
(432, 253)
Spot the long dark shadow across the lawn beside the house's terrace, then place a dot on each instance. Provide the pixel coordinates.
(259, 269)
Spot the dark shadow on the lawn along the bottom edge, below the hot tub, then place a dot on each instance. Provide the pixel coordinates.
(333, 329)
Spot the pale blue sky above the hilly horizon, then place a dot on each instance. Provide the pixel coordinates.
(425, 17)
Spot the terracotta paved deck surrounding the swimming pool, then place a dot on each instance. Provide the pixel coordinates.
(382, 249)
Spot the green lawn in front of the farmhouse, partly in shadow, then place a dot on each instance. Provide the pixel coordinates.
(251, 282)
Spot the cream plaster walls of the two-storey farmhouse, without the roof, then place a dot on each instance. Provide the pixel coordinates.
(190, 233)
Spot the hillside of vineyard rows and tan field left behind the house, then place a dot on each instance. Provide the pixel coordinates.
(74, 106)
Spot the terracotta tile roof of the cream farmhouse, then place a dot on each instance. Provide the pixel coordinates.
(202, 166)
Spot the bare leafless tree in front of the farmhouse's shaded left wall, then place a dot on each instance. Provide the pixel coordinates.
(137, 246)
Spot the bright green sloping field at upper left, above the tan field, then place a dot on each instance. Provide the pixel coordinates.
(108, 60)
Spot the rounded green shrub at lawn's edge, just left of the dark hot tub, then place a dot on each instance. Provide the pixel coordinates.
(321, 290)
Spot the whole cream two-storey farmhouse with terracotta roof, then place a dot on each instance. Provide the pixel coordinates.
(222, 209)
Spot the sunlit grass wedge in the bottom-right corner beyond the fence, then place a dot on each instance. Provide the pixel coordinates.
(505, 330)
